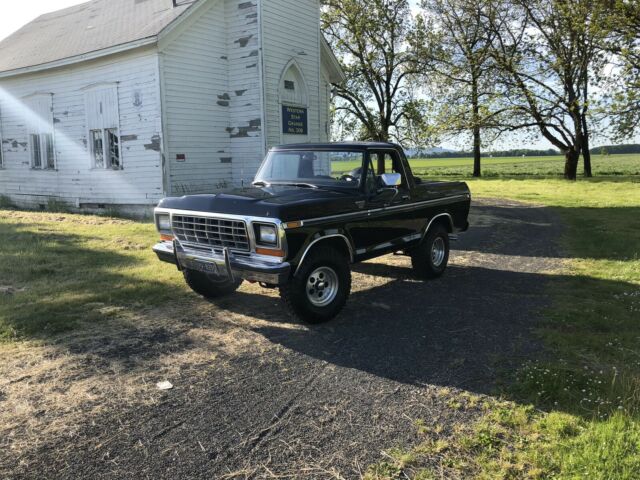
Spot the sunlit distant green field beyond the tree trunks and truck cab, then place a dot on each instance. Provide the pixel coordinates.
(512, 166)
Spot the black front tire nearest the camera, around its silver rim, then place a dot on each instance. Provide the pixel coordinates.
(295, 293)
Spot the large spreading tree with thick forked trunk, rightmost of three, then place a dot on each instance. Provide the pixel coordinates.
(546, 51)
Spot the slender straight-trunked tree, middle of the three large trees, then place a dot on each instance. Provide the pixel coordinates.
(457, 55)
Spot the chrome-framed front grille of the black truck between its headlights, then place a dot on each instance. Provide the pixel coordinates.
(211, 232)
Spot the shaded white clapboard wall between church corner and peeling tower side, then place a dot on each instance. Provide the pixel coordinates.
(194, 77)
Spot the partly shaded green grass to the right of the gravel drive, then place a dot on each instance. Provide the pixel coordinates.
(575, 413)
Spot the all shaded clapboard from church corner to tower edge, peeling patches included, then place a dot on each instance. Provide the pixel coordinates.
(211, 91)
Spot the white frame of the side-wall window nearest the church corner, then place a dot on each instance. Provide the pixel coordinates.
(107, 163)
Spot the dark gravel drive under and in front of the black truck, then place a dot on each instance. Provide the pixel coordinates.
(265, 397)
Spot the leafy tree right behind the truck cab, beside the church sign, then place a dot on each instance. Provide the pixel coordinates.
(375, 43)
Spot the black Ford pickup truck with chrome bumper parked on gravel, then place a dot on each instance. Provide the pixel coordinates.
(300, 225)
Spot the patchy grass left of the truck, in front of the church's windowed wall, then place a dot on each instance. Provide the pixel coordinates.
(55, 268)
